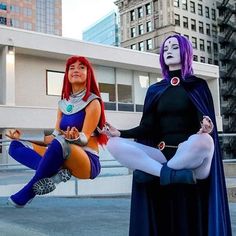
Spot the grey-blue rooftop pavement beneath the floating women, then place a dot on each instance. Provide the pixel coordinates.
(72, 216)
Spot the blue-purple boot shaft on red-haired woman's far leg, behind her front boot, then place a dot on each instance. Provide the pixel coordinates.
(24, 154)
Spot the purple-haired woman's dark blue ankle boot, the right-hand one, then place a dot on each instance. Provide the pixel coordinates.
(171, 176)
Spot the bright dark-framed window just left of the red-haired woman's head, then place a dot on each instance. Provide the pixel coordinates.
(54, 82)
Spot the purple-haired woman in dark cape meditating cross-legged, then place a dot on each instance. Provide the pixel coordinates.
(178, 180)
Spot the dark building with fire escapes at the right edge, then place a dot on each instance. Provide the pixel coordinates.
(227, 40)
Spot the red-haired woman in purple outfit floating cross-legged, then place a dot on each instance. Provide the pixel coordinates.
(73, 146)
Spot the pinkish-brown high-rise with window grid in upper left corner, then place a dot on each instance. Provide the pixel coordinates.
(37, 15)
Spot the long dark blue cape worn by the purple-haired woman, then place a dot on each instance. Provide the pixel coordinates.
(150, 201)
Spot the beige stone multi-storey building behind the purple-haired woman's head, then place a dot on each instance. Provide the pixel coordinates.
(145, 23)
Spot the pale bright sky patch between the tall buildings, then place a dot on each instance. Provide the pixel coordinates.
(77, 15)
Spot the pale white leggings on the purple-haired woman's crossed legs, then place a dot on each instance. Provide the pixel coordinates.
(196, 154)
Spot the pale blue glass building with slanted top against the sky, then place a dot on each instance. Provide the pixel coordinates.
(104, 31)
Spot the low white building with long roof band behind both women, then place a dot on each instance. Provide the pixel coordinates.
(31, 74)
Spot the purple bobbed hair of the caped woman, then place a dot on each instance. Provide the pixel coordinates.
(186, 56)
